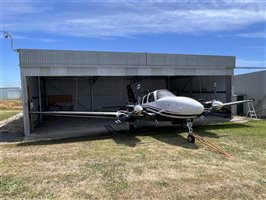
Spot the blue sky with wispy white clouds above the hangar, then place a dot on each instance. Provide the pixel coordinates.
(204, 27)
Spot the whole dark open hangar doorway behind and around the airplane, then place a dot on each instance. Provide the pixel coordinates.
(106, 94)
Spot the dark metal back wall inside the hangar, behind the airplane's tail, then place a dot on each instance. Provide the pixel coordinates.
(107, 92)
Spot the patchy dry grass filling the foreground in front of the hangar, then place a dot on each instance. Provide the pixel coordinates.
(157, 165)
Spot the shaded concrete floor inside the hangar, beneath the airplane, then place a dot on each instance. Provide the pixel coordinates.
(66, 127)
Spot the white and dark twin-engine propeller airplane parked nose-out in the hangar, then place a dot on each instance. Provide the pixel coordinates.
(159, 105)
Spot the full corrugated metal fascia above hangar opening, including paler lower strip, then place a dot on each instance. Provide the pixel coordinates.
(86, 63)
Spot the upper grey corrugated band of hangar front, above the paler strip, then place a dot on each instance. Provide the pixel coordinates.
(52, 58)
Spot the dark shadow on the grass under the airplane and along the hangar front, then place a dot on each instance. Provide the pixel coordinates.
(169, 135)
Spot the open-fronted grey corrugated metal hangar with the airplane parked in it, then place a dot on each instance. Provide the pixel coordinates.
(96, 81)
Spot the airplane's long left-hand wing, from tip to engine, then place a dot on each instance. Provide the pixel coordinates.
(78, 114)
